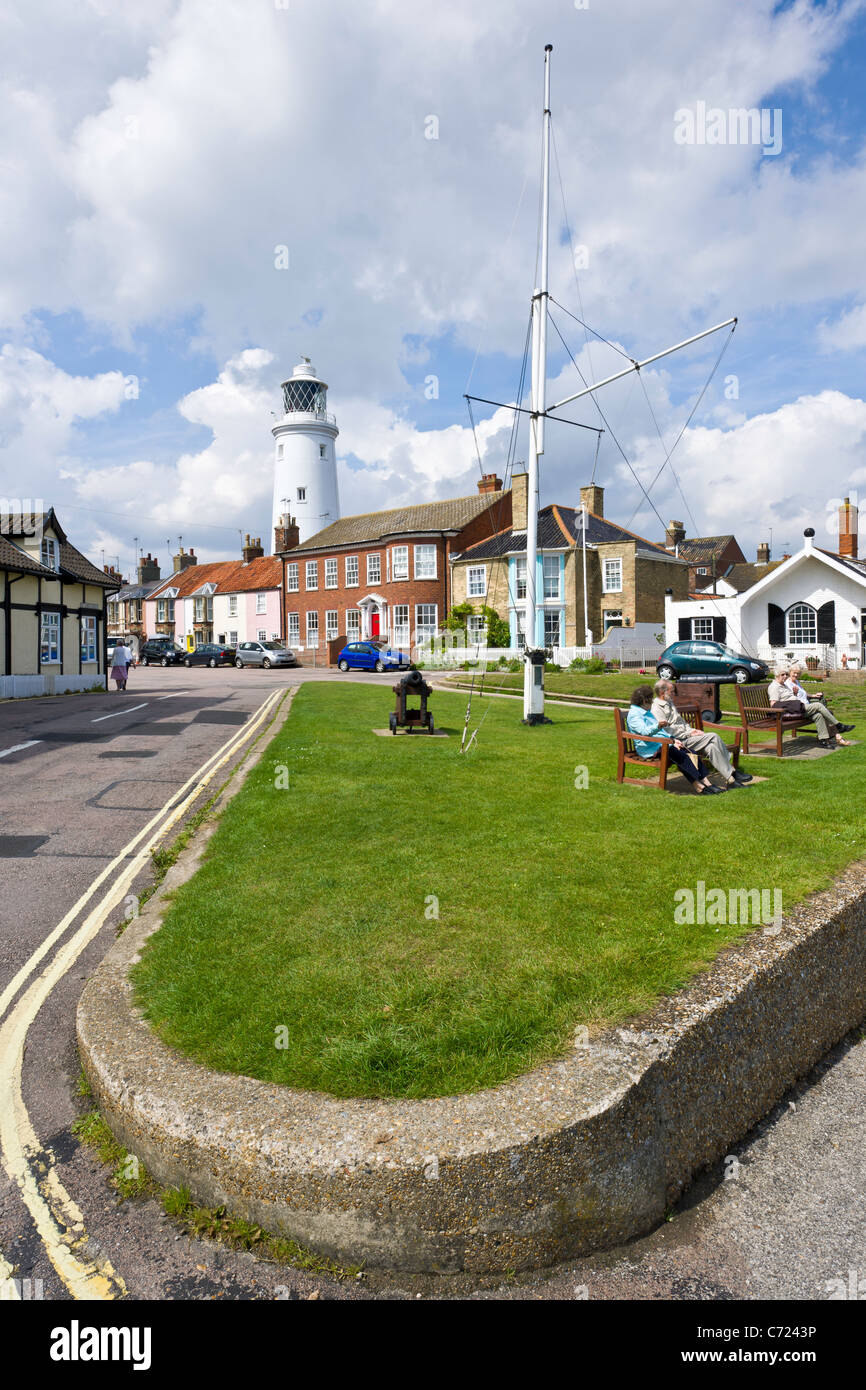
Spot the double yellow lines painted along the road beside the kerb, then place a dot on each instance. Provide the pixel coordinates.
(56, 1216)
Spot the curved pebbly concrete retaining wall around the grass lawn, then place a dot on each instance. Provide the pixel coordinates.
(578, 1156)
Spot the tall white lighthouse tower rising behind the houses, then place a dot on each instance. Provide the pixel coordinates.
(305, 465)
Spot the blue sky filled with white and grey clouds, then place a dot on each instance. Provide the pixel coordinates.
(161, 165)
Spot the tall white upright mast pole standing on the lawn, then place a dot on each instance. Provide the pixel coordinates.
(533, 683)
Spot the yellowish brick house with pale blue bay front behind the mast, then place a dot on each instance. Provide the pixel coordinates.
(628, 578)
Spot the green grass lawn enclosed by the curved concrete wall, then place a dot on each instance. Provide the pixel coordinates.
(313, 910)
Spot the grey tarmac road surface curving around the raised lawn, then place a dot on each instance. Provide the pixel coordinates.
(782, 1218)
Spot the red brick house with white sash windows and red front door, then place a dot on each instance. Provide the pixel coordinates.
(384, 575)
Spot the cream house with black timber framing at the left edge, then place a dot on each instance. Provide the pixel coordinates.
(52, 610)
